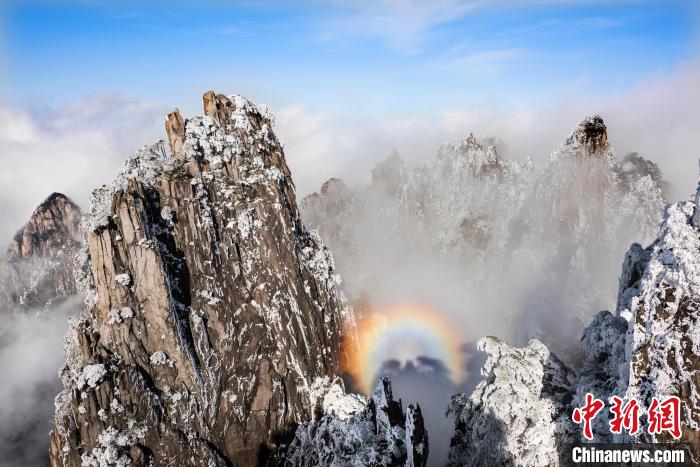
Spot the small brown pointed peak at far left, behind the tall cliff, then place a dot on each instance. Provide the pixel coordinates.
(37, 270)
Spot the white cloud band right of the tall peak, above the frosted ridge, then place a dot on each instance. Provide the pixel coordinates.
(657, 118)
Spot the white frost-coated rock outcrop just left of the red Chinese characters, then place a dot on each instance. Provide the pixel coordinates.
(518, 415)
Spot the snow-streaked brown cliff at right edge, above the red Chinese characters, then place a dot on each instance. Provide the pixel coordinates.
(651, 348)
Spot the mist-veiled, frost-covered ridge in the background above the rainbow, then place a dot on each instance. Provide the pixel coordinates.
(554, 233)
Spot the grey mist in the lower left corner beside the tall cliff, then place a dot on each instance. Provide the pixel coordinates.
(31, 355)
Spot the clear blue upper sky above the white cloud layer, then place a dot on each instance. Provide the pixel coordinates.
(347, 57)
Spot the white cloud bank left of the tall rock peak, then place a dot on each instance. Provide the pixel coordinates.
(72, 149)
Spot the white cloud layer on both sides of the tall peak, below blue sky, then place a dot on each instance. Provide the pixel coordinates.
(77, 147)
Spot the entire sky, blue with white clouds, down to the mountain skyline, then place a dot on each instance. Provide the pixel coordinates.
(86, 83)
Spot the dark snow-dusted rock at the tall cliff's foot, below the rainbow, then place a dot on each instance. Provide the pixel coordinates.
(378, 434)
